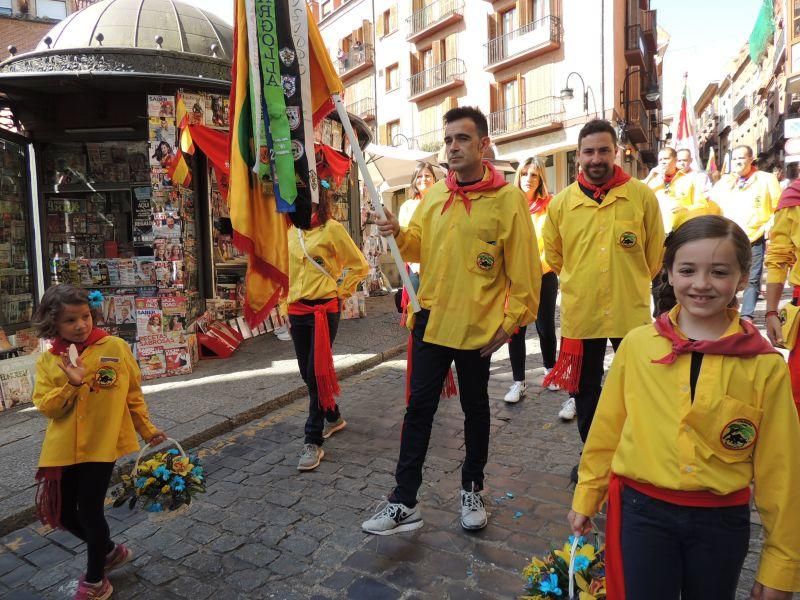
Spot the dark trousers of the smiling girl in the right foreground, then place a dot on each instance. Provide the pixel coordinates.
(671, 552)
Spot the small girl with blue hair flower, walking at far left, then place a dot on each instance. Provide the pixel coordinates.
(89, 386)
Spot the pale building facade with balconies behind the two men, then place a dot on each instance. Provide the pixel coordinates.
(539, 69)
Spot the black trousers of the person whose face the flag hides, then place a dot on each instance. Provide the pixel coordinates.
(303, 338)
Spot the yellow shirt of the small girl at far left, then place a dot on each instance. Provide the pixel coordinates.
(86, 425)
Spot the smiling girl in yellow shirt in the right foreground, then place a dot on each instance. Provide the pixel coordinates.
(697, 406)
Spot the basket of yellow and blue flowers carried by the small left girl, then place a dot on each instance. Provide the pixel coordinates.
(167, 481)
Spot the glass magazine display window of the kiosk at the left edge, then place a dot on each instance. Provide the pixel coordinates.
(16, 277)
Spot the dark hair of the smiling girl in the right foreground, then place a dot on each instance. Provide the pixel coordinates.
(699, 228)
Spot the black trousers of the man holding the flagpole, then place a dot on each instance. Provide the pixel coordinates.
(430, 365)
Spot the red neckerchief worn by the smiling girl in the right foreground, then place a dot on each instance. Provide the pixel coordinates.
(747, 344)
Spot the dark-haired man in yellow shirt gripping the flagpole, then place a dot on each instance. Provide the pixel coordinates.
(479, 280)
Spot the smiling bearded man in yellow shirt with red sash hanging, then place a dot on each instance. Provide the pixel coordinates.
(604, 237)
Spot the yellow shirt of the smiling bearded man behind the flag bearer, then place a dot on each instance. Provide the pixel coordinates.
(606, 256)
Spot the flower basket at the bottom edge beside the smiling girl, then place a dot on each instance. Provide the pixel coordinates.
(549, 576)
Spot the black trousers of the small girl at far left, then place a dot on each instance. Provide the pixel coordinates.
(83, 494)
